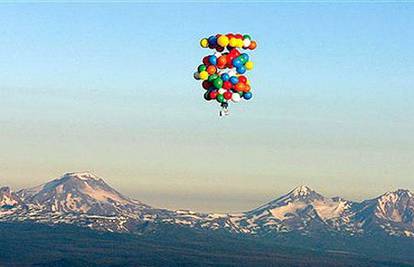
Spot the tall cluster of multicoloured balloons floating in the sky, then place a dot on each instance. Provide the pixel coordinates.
(223, 72)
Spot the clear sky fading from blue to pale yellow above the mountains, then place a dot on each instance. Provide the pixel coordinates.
(109, 88)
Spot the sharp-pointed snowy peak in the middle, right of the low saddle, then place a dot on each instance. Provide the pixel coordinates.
(302, 209)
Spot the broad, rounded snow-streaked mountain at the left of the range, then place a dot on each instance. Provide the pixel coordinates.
(83, 199)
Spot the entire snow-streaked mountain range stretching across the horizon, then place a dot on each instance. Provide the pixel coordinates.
(86, 200)
